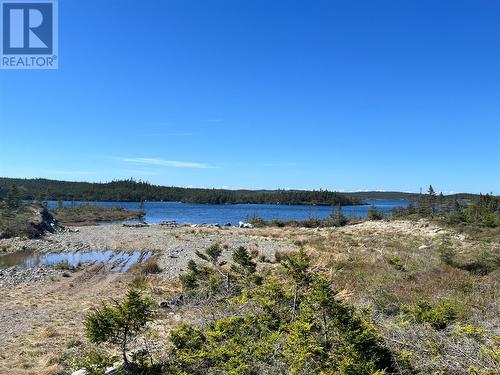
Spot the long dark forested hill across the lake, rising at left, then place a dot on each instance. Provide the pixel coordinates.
(130, 190)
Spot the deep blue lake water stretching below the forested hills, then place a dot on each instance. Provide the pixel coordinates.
(157, 212)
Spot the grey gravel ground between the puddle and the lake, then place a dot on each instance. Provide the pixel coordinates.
(172, 247)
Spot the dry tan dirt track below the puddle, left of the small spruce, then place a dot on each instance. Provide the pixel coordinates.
(39, 319)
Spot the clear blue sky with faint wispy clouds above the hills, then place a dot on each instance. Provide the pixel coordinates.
(345, 95)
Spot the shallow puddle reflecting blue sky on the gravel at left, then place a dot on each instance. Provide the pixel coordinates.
(119, 261)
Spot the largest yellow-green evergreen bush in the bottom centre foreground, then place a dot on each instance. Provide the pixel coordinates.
(288, 325)
